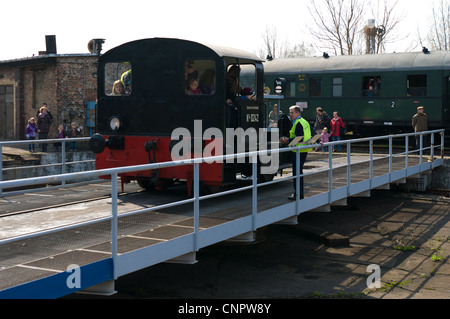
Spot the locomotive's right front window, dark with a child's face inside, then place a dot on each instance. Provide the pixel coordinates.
(200, 77)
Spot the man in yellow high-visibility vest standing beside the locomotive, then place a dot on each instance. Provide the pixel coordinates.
(300, 127)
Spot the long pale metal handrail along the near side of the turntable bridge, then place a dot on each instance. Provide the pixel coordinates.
(114, 173)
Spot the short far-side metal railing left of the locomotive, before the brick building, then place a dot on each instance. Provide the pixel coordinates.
(63, 164)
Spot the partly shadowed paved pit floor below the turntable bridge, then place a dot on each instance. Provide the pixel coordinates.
(285, 264)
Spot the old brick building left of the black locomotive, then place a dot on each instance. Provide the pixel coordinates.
(66, 82)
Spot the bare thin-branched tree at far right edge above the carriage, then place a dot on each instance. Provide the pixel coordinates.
(439, 33)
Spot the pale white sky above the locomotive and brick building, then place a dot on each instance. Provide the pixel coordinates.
(234, 23)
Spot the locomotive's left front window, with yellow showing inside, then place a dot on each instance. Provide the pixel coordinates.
(118, 79)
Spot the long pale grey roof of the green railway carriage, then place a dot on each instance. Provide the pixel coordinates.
(434, 60)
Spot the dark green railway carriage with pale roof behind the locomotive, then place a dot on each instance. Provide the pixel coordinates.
(372, 93)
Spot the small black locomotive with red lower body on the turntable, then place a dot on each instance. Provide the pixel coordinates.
(148, 90)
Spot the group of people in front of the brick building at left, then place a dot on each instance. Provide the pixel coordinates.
(40, 127)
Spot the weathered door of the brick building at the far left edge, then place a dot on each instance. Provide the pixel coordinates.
(6, 112)
